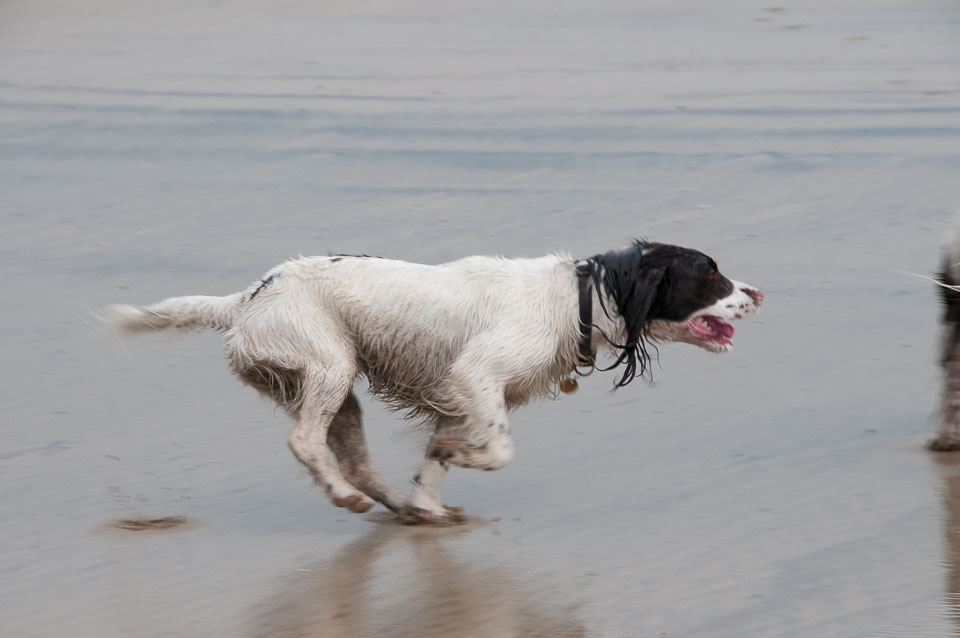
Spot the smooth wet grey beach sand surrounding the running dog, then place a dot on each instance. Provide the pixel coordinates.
(185, 148)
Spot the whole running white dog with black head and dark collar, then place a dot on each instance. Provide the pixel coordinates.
(458, 345)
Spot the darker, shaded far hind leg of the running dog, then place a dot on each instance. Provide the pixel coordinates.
(345, 437)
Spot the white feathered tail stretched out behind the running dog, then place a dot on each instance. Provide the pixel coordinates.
(178, 313)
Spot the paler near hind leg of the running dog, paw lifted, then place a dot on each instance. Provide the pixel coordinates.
(323, 395)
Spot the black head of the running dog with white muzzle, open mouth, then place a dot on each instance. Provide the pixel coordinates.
(670, 293)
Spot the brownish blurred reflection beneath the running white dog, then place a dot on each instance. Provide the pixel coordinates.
(402, 582)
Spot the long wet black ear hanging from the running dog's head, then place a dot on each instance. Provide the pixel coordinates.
(632, 285)
